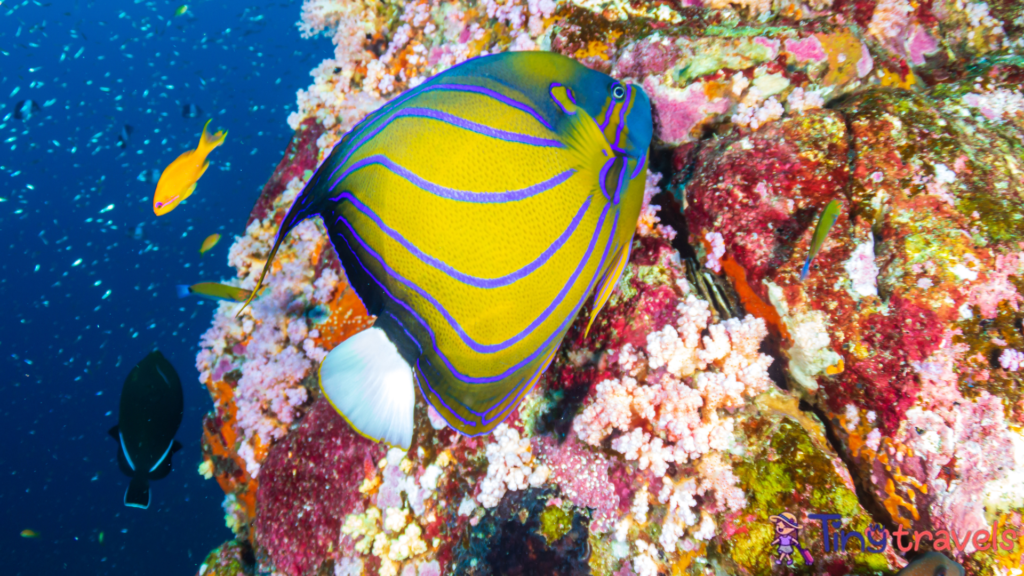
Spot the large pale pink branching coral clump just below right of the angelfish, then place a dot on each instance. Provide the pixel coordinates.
(671, 408)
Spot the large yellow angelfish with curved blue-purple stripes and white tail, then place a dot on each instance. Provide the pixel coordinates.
(475, 217)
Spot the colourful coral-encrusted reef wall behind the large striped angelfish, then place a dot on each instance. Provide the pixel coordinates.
(716, 391)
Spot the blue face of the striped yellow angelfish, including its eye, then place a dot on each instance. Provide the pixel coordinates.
(622, 110)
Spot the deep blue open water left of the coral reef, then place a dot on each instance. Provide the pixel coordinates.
(83, 300)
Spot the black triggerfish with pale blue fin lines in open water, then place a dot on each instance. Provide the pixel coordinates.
(152, 406)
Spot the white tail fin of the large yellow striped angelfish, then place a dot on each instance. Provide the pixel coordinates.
(371, 386)
